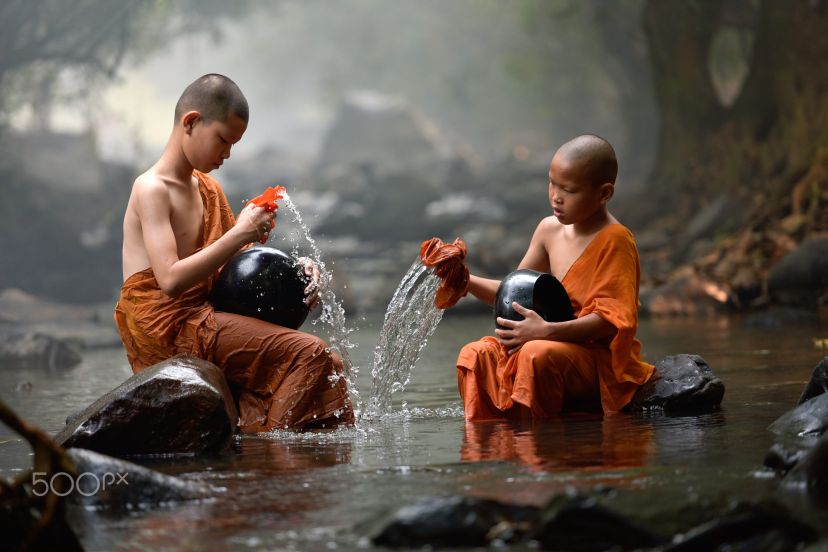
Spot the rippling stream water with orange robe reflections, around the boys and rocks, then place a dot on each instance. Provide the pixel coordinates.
(325, 490)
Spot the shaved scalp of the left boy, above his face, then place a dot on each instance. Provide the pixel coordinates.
(215, 97)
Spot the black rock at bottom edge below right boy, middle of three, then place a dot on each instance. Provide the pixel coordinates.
(578, 523)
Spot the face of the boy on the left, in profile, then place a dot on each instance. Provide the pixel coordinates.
(208, 145)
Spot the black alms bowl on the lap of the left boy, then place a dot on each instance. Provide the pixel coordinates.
(265, 283)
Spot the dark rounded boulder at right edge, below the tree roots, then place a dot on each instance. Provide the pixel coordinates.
(801, 277)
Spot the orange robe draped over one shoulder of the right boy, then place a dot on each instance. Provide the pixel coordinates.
(545, 378)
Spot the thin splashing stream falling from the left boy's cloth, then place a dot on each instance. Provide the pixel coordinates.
(333, 314)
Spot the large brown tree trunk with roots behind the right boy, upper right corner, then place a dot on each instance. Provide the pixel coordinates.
(768, 153)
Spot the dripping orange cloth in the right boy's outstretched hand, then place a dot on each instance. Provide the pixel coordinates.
(447, 260)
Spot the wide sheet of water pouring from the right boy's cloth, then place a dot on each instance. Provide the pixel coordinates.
(410, 320)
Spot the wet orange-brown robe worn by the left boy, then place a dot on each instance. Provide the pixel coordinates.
(283, 378)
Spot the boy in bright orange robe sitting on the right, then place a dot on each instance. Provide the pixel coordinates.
(537, 369)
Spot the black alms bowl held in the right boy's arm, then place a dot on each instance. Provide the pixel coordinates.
(539, 291)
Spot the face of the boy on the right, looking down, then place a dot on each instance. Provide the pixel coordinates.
(572, 197)
